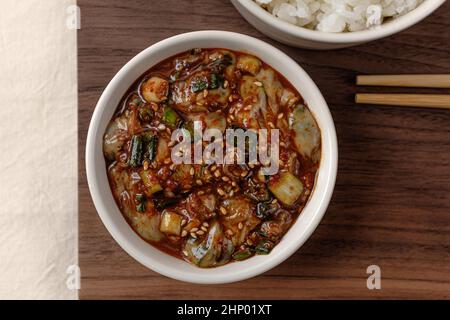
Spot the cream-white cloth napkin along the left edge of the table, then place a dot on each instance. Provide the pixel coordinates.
(38, 143)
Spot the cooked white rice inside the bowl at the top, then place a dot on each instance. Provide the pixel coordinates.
(338, 15)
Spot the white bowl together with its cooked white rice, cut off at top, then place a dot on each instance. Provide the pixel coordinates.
(331, 24)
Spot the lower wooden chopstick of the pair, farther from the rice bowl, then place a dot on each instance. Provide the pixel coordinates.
(401, 99)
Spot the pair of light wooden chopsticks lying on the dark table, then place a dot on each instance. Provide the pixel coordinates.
(402, 99)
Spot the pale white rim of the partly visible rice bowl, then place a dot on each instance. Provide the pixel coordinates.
(386, 29)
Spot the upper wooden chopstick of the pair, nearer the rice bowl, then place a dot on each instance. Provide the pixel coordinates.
(405, 80)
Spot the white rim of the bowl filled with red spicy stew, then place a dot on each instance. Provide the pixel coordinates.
(327, 173)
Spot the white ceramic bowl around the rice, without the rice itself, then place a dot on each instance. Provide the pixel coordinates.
(312, 39)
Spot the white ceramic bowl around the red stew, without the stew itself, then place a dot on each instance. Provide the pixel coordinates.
(103, 198)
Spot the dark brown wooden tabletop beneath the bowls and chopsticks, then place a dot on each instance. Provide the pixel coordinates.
(391, 205)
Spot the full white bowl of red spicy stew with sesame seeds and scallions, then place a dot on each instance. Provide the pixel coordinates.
(211, 219)
